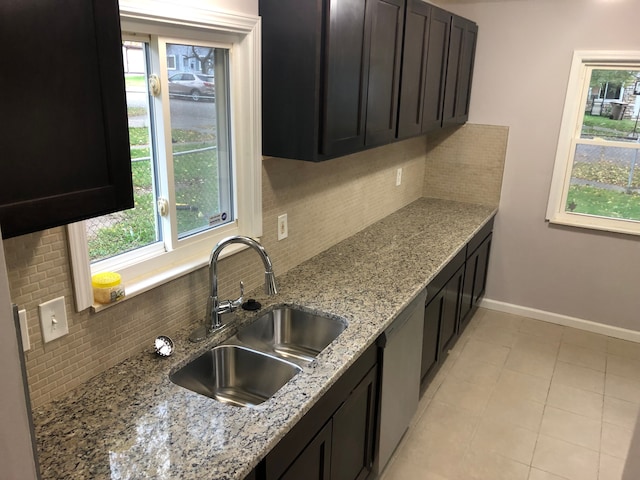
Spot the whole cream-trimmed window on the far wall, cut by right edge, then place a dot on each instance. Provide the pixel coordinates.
(596, 178)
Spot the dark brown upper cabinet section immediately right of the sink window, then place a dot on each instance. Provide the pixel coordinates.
(330, 75)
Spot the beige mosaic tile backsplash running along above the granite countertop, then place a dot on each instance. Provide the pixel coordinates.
(325, 203)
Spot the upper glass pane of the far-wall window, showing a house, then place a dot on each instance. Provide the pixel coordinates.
(612, 106)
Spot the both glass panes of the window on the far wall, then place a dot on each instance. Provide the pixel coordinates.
(605, 175)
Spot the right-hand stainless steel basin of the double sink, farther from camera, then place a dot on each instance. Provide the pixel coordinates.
(291, 333)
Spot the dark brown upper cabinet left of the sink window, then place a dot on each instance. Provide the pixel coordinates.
(65, 140)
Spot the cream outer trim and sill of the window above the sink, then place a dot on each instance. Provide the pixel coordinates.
(141, 272)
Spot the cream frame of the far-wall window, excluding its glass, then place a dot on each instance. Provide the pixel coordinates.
(570, 131)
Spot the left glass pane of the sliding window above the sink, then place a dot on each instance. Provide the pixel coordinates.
(124, 231)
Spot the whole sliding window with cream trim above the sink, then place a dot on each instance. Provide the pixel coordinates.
(195, 146)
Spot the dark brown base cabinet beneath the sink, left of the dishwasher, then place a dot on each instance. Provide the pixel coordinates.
(336, 438)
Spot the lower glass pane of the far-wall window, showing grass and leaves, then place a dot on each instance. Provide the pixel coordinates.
(605, 182)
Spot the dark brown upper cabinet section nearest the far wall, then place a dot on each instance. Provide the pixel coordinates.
(437, 68)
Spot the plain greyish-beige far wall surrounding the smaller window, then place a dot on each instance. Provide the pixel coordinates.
(522, 66)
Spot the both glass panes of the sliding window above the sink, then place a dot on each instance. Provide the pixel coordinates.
(198, 149)
